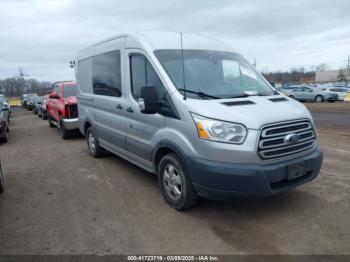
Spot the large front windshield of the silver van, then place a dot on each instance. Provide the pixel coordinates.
(215, 73)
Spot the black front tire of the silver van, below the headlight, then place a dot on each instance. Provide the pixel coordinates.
(188, 197)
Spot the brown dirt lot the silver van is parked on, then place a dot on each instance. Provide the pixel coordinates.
(58, 200)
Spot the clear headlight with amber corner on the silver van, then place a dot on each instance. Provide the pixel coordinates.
(215, 130)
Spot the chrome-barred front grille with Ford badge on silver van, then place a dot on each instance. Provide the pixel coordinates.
(273, 144)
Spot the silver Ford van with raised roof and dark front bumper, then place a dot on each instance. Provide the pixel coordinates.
(193, 111)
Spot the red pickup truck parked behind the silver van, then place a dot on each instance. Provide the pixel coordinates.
(62, 108)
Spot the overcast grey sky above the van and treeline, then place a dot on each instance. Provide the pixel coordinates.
(43, 35)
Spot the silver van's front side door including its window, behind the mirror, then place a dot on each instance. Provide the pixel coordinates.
(141, 128)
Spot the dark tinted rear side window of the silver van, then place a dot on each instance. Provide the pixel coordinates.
(106, 74)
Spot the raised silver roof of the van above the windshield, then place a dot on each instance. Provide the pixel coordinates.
(153, 40)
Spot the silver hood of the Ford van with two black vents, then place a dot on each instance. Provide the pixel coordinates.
(253, 111)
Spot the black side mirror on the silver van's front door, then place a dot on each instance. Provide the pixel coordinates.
(149, 102)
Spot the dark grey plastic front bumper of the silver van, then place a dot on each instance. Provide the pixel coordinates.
(217, 180)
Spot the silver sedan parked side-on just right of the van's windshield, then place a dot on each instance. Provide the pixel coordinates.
(305, 93)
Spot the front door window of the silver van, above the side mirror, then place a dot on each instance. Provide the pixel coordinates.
(143, 74)
